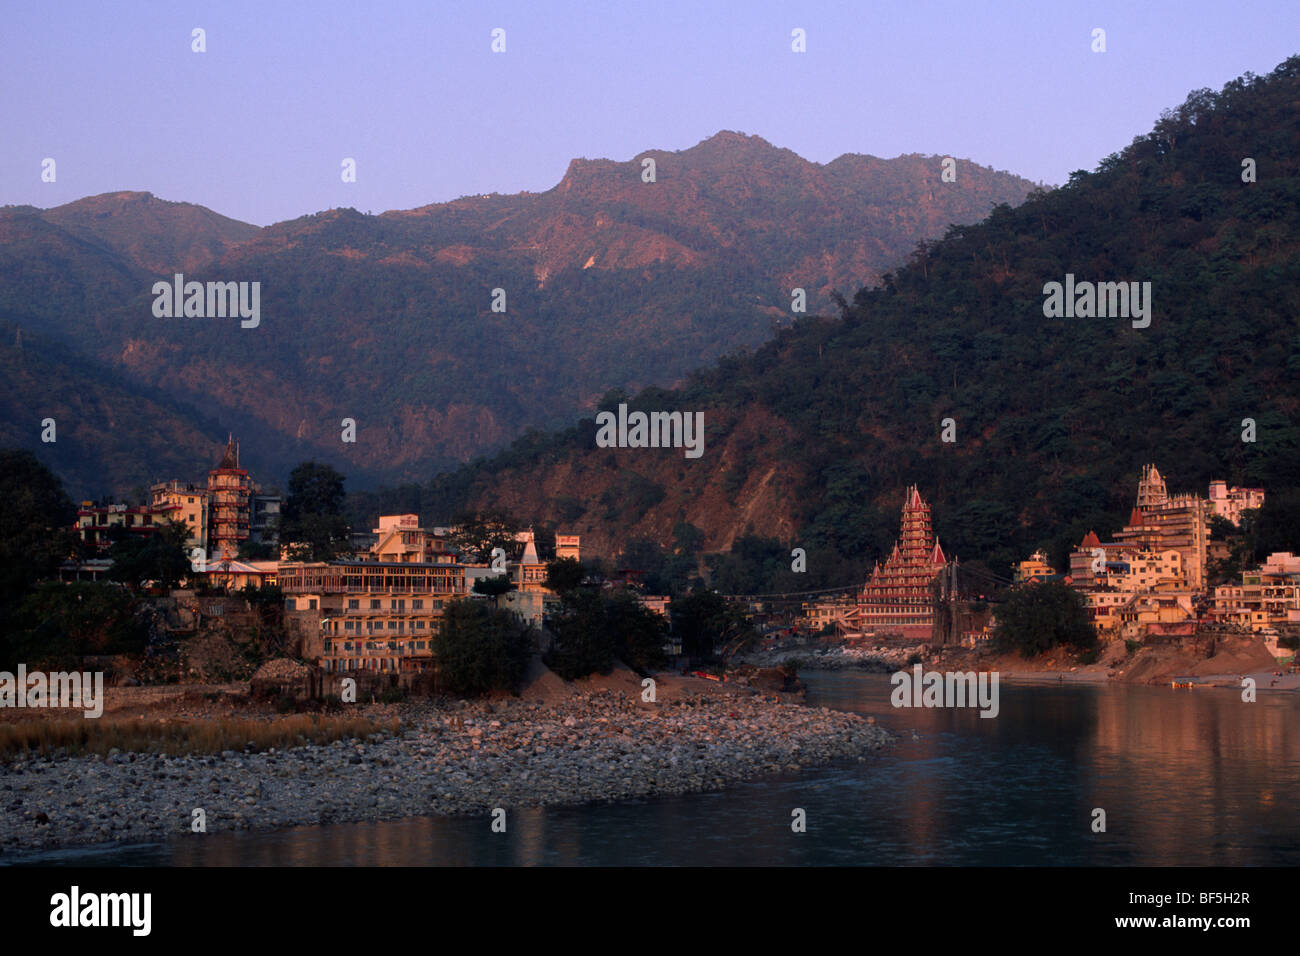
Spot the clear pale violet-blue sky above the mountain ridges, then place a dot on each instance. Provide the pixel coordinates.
(257, 127)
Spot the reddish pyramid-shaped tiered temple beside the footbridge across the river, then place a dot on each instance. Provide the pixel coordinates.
(898, 599)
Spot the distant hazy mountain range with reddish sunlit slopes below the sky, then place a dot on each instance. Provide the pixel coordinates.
(608, 282)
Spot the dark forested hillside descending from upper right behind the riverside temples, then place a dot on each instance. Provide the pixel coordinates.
(813, 438)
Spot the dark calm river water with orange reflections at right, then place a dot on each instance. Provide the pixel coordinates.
(1185, 777)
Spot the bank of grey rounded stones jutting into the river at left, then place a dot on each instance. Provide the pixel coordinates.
(461, 759)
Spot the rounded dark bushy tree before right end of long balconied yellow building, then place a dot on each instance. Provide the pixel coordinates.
(480, 650)
